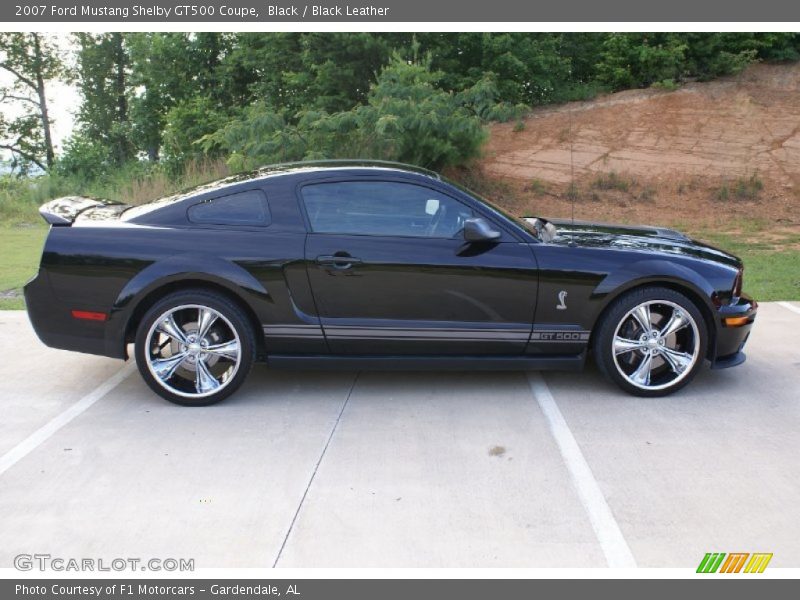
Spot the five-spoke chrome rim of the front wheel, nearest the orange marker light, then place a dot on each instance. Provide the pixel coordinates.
(656, 345)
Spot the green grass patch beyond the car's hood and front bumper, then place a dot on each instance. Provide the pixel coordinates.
(770, 273)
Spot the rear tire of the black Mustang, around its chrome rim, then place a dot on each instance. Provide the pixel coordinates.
(231, 326)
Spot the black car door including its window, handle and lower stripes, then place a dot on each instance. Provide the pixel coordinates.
(391, 273)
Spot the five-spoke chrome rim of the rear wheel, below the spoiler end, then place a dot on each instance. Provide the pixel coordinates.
(193, 351)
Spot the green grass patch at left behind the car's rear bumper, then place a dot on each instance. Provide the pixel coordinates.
(20, 252)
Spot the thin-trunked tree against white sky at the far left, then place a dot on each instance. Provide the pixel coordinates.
(31, 60)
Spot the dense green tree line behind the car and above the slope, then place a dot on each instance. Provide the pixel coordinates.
(261, 97)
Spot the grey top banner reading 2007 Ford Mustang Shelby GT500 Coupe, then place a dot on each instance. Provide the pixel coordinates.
(390, 11)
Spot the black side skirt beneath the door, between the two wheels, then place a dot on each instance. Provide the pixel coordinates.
(574, 362)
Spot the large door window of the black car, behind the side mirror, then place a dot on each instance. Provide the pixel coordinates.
(383, 208)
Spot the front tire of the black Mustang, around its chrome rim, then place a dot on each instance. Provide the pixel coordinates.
(621, 367)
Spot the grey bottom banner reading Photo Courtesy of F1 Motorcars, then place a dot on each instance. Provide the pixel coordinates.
(388, 589)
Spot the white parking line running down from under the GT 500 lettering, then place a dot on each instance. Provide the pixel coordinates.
(608, 533)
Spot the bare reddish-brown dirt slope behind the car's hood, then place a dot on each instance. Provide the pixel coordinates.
(727, 149)
